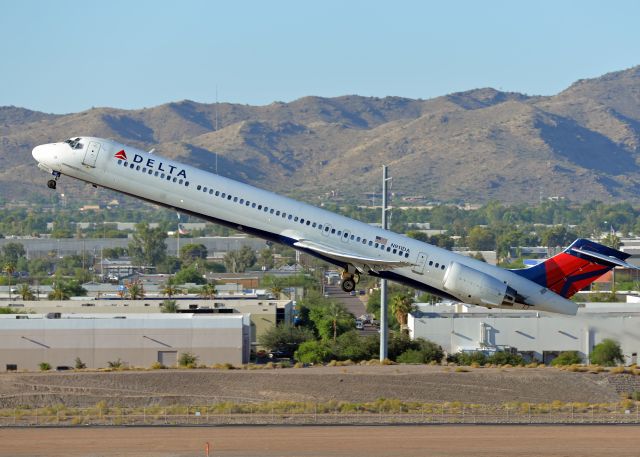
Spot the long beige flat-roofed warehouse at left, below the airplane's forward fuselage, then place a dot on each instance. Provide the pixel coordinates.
(137, 340)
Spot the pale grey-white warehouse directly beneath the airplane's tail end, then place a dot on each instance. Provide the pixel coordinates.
(537, 336)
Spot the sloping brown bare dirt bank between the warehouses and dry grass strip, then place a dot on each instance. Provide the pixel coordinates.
(418, 383)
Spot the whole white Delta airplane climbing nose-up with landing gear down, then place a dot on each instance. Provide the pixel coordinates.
(356, 247)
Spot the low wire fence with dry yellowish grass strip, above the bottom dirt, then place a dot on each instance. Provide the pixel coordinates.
(333, 413)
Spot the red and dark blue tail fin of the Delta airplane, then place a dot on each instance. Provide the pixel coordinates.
(576, 267)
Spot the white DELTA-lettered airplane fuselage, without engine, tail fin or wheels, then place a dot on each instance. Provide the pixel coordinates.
(273, 217)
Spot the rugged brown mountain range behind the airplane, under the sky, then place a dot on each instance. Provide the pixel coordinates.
(473, 146)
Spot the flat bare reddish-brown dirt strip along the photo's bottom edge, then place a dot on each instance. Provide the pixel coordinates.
(406, 441)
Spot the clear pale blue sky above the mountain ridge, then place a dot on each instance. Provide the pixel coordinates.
(67, 56)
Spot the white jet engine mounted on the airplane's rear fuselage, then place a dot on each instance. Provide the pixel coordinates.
(477, 288)
